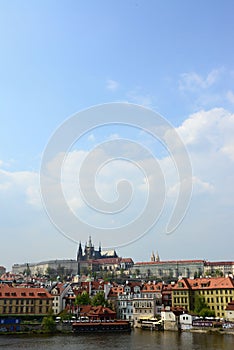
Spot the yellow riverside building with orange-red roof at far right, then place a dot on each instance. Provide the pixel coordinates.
(216, 292)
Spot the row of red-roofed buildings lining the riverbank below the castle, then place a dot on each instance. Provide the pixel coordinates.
(134, 300)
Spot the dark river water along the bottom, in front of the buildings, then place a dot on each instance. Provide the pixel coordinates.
(136, 340)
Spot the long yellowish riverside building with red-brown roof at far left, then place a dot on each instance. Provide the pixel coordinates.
(20, 301)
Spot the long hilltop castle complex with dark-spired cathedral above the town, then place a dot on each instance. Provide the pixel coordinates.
(91, 261)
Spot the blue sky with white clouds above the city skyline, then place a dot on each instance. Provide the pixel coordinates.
(62, 57)
